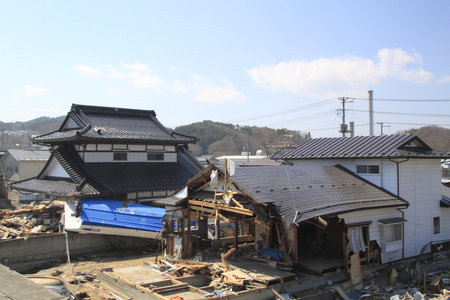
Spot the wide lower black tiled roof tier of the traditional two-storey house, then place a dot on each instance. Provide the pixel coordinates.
(106, 179)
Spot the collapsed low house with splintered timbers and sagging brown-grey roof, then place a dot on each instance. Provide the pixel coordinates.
(316, 217)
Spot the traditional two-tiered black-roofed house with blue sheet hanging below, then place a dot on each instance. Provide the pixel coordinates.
(106, 162)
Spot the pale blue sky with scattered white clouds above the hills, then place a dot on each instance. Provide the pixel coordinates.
(280, 64)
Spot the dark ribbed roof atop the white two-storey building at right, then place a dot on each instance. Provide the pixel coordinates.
(383, 146)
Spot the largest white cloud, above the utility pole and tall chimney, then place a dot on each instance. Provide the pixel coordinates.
(324, 75)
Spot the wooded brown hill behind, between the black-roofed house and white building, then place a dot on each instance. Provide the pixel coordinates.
(219, 139)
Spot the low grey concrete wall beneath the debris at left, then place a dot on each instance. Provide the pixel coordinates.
(23, 255)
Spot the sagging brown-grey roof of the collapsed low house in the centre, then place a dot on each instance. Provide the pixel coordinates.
(312, 191)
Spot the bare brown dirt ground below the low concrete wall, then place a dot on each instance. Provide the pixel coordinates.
(87, 265)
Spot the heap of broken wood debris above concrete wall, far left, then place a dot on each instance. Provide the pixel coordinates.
(30, 220)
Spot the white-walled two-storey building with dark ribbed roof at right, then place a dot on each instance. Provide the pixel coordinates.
(402, 165)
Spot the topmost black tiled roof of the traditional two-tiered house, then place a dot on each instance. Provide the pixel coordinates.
(109, 124)
